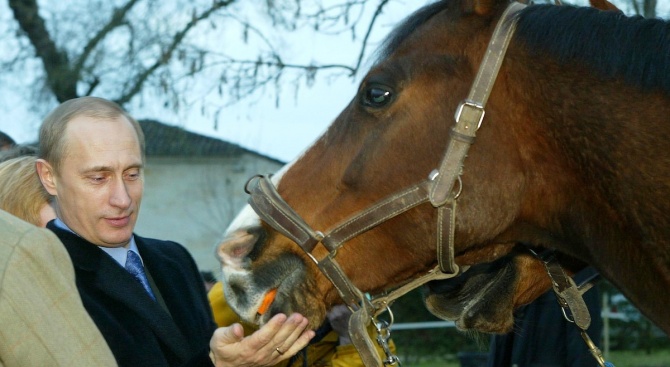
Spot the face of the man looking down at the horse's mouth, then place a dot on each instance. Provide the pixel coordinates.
(100, 182)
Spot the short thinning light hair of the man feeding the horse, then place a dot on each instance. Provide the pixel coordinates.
(52, 145)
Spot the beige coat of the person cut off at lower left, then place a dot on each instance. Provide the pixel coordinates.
(42, 319)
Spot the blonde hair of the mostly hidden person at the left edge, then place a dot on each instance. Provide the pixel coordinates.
(21, 192)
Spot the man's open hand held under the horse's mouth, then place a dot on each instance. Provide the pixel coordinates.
(276, 341)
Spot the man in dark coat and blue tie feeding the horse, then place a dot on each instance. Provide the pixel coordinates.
(146, 296)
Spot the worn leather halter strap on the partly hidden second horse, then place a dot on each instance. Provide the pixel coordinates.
(570, 299)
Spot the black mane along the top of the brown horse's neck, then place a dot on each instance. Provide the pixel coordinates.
(614, 45)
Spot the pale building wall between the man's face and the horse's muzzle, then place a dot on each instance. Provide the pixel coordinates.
(192, 200)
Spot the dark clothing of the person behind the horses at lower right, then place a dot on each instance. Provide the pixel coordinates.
(543, 338)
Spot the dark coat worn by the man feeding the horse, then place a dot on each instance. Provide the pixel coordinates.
(139, 330)
